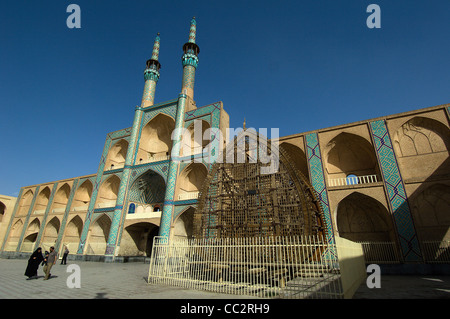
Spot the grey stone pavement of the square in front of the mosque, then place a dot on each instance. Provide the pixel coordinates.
(128, 281)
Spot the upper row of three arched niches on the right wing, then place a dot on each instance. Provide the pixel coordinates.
(350, 154)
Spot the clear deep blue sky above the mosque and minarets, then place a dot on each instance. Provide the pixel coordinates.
(295, 65)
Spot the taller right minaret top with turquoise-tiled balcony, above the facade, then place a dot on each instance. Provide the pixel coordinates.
(190, 61)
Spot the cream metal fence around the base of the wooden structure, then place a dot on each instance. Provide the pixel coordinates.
(268, 267)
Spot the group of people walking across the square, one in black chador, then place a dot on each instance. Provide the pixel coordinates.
(48, 260)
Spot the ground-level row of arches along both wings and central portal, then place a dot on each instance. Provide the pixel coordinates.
(357, 217)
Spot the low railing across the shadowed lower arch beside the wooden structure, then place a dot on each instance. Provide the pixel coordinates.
(380, 252)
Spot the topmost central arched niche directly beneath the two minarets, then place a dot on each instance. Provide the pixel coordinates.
(156, 139)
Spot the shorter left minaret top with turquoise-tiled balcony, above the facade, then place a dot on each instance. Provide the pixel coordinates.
(151, 75)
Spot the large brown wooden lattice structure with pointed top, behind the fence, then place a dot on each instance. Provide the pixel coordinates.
(240, 199)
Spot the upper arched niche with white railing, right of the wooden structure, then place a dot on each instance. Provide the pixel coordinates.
(350, 154)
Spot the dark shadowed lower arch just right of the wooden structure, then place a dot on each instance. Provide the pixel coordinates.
(363, 218)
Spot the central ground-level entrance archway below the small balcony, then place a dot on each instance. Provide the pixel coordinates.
(137, 239)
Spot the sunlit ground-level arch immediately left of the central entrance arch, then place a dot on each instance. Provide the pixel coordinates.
(98, 236)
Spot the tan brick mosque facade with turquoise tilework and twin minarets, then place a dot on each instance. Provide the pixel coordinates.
(383, 180)
